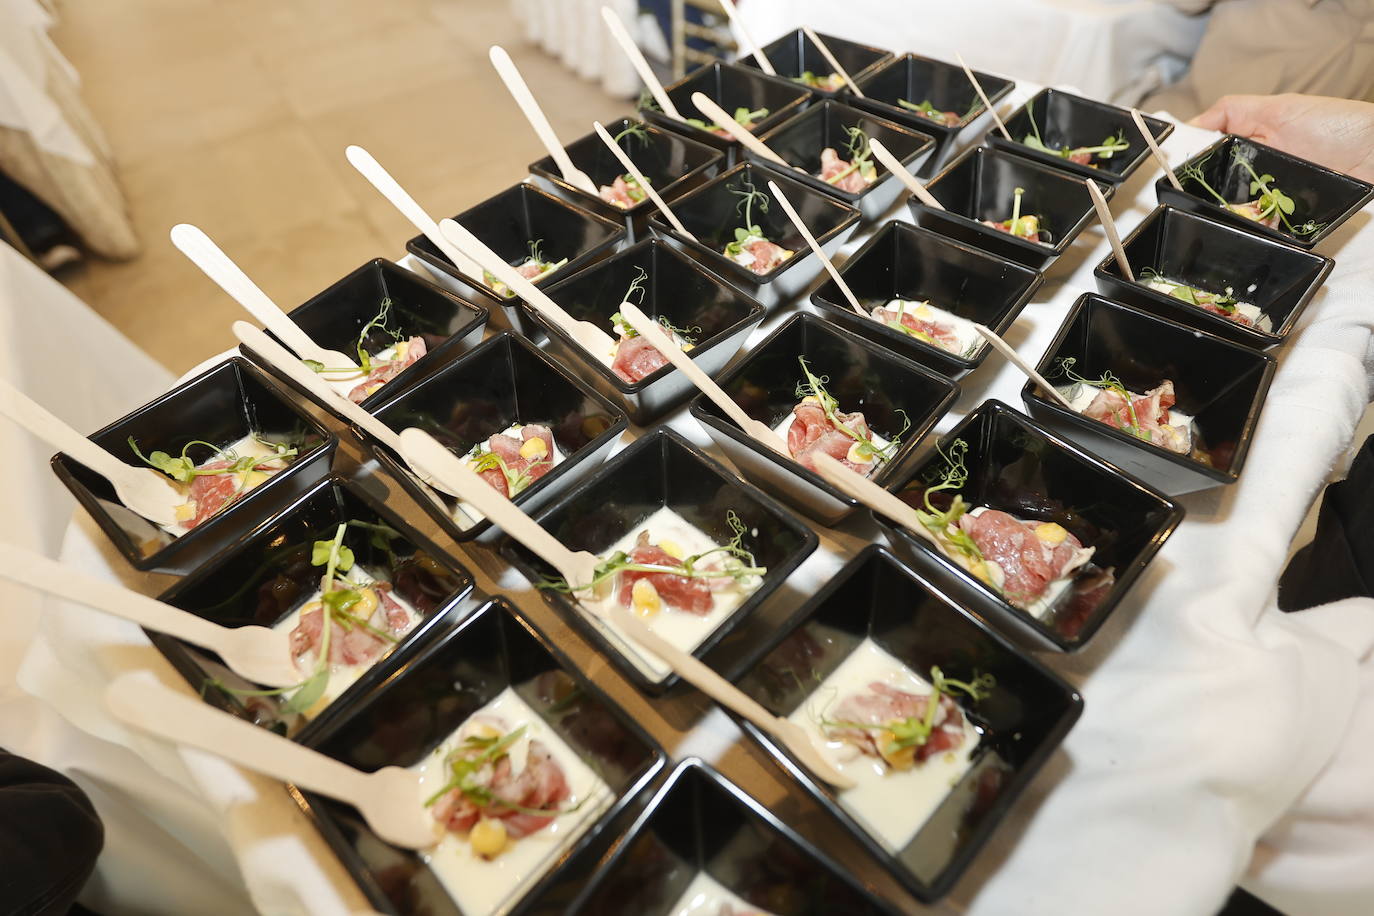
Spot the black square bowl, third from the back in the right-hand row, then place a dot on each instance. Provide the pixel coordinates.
(1221, 384)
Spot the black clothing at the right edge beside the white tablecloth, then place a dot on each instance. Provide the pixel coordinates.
(1340, 560)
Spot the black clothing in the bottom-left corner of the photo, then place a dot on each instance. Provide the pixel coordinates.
(50, 838)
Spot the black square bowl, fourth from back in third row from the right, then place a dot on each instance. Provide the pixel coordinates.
(678, 289)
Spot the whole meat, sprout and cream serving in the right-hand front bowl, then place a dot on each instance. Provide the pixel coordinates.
(898, 735)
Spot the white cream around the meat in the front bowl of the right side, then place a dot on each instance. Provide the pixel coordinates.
(892, 805)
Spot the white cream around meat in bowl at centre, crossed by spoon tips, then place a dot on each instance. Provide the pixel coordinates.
(681, 628)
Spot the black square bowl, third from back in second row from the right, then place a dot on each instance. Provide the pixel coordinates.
(903, 262)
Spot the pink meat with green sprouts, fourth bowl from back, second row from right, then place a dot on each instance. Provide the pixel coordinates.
(817, 426)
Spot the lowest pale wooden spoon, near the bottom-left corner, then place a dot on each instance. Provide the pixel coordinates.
(390, 800)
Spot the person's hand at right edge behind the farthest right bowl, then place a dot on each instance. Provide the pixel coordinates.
(1333, 133)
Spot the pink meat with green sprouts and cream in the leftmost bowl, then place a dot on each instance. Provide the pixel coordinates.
(219, 479)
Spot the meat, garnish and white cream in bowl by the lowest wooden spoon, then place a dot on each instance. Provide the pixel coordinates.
(510, 797)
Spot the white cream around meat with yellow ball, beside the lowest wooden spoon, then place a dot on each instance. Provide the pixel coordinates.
(483, 886)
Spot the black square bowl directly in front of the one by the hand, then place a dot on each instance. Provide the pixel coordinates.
(1215, 256)
